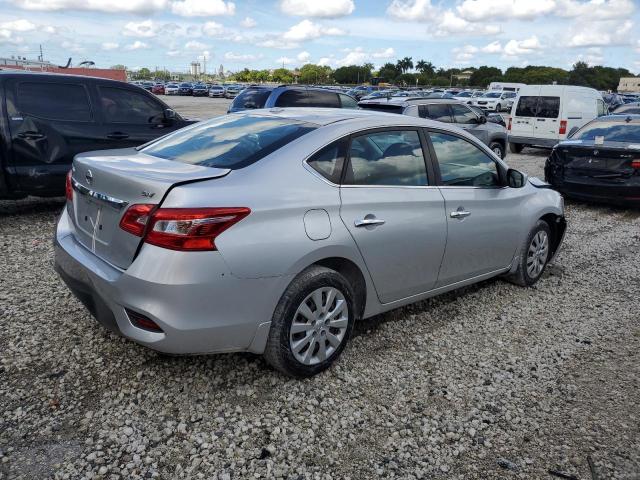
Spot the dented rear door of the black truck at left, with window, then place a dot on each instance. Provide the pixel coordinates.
(50, 122)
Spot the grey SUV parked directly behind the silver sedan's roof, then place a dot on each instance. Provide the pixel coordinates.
(446, 111)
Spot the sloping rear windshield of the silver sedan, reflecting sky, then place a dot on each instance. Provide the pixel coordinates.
(231, 141)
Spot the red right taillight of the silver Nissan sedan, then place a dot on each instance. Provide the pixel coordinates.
(192, 229)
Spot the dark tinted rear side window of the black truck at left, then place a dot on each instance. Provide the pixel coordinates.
(54, 101)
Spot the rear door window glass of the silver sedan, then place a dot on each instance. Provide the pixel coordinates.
(386, 158)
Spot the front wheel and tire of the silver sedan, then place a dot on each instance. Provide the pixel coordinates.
(534, 256)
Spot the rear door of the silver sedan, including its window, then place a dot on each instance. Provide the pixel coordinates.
(395, 215)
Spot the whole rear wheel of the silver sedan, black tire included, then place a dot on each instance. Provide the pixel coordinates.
(312, 332)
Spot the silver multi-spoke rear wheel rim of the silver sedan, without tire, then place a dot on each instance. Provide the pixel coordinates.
(319, 326)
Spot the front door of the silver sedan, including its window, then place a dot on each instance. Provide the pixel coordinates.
(483, 216)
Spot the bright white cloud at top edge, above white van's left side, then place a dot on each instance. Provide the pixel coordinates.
(478, 10)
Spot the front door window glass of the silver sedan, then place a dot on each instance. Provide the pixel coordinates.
(462, 164)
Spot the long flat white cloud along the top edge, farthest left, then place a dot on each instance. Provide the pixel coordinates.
(116, 6)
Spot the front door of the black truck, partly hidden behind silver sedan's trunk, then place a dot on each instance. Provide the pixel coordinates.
(130, 117)
